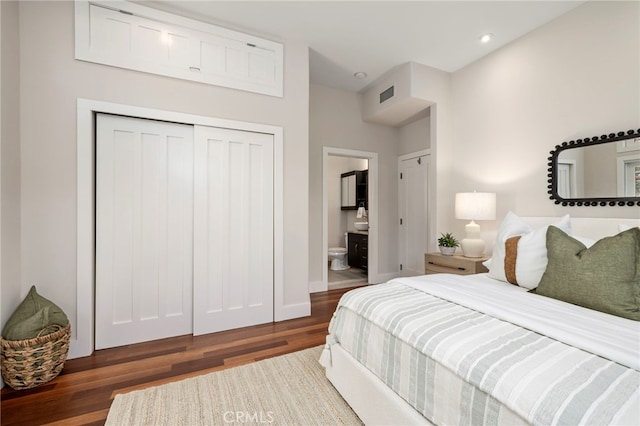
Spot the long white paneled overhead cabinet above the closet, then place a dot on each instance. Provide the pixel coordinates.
(140, 38)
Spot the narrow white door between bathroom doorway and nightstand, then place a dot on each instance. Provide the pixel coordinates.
(414, 235)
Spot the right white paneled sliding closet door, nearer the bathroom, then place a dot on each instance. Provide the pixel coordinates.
(233, 223)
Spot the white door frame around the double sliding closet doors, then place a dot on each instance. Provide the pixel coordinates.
(82, 344)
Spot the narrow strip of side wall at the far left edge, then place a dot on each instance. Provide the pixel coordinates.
(10, 289)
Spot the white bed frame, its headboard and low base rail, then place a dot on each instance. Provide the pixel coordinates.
(373, 401)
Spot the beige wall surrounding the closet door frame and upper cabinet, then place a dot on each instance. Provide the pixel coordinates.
(51, 81)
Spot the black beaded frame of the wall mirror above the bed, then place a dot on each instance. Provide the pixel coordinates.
(553, 172)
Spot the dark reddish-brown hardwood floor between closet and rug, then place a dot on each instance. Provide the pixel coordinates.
(83, 392)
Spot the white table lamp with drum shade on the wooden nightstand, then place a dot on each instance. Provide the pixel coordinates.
(474, 206)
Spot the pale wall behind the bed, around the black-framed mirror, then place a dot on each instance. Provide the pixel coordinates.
(575, 77)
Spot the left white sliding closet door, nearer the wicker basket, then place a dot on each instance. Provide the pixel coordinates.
(144, 230)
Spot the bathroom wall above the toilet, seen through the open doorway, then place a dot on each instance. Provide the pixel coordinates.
(340, 221)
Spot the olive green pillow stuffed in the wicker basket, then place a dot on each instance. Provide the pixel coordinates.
(34, 315)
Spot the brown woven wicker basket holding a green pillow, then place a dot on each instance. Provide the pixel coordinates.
(33, 362)
